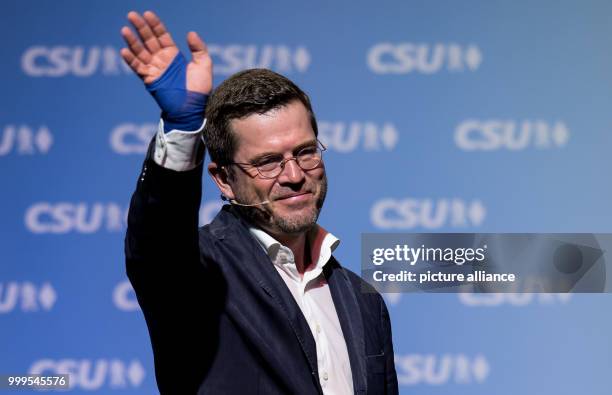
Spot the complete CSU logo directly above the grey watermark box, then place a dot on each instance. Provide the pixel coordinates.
(410, 213)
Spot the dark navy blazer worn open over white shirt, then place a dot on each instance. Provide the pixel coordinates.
(220, 317)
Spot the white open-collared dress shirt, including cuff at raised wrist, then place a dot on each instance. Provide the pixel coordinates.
(177, 150)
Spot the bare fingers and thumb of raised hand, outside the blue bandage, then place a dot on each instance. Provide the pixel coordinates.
(151, 53)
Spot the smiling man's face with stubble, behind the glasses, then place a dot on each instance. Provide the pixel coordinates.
(295, 196)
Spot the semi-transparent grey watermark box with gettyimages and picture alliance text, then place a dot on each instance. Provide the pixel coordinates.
(482, 263)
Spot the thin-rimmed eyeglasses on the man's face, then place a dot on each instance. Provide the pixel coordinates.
(272, 166)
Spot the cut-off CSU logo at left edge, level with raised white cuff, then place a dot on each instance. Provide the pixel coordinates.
(25, 140)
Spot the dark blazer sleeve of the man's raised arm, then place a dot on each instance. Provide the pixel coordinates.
(163, 265)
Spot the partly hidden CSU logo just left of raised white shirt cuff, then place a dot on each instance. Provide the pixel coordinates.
(131, 138)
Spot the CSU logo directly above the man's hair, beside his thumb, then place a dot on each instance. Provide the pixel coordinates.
(229, 59)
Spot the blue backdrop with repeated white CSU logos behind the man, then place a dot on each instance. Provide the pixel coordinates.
(440, 116)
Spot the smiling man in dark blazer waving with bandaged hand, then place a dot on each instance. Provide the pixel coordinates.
(253, 303)
